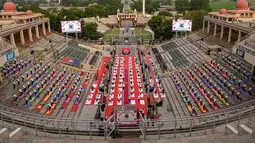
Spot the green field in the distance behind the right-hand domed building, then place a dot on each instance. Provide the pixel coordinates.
(217, 6)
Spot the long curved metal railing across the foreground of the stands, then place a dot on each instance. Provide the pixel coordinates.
(44, 126)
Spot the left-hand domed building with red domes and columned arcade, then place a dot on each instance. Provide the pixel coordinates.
(22, 27)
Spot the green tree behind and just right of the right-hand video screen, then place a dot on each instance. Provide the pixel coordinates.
(197, 18)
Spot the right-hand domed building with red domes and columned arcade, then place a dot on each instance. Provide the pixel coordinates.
(230, 26)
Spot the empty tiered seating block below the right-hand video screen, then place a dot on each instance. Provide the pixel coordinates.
(178, 54)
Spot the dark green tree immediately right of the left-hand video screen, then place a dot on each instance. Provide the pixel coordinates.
(90, 31)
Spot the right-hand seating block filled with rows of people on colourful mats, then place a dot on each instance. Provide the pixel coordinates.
(210, 86)
